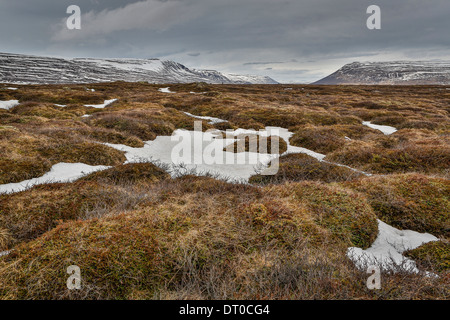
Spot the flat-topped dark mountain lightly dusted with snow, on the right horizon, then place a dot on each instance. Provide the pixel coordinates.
(396, 72)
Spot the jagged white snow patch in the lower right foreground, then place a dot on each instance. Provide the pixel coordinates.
(387, 249)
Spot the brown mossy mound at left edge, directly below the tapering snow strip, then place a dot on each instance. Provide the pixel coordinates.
(28, 214)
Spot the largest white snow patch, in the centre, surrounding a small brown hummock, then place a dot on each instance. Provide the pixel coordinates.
(235, 166)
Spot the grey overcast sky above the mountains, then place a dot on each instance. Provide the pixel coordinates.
(288, 40)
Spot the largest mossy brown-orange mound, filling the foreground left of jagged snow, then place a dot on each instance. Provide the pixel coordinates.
(180, 238)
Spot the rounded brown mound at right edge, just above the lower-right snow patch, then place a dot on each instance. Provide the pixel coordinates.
(409, 201)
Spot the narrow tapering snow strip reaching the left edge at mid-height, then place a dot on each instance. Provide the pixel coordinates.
(61, 172)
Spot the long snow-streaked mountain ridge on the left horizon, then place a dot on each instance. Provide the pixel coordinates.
(15, 68)
